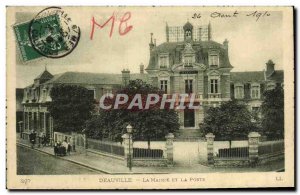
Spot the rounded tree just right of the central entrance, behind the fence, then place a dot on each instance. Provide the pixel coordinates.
(230, 121)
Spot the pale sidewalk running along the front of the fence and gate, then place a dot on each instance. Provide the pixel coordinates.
(106, 165)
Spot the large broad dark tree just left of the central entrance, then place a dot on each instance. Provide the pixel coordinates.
(148, 124)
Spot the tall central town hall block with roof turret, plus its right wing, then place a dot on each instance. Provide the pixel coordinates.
(202, 67)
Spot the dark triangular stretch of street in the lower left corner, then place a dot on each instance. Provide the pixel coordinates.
(32, 162)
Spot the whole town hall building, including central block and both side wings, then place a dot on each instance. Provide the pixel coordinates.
(188, 62)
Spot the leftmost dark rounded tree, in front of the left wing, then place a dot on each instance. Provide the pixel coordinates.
(70, 107)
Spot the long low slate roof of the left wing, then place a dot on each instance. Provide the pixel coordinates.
(92, 78)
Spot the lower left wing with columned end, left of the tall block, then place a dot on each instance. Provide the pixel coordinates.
(36, 116)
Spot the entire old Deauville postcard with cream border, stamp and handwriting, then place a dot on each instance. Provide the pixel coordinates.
(150, 97)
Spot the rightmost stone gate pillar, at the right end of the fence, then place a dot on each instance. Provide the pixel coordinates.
(253, 141)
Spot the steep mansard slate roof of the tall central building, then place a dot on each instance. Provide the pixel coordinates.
(171, 47)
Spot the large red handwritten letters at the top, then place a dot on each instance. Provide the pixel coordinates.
(123, 26)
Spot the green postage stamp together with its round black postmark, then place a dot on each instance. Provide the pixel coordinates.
(51, 33)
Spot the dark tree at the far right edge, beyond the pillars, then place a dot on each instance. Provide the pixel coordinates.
(273, 113)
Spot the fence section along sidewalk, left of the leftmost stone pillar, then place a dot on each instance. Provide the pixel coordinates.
(106, 147)
